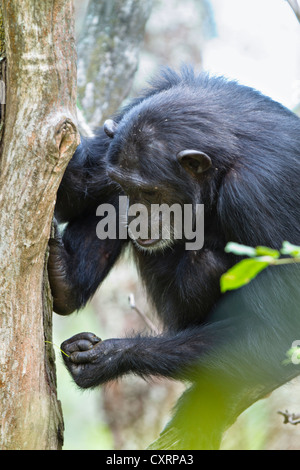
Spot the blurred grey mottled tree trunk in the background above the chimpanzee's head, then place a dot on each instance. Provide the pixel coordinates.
(108, 52)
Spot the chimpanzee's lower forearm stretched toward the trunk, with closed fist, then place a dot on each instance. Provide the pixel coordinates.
(182, 356)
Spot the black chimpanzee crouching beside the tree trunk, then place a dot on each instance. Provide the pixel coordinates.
(189, 139)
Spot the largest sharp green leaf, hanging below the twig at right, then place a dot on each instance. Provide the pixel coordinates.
(241, 274)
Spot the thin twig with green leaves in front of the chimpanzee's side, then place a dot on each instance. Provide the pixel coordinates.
(259, 258)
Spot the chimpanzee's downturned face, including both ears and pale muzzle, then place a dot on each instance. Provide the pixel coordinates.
(159, 178)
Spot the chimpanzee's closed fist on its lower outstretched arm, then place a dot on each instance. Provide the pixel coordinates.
(91, 361)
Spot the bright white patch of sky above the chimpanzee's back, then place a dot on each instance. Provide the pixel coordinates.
(258, 44)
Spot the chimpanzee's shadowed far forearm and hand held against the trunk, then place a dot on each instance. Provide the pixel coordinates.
(78, 263)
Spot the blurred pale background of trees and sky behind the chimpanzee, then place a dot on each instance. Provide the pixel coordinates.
(255, 42)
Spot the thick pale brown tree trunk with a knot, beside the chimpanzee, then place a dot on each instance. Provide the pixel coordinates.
(40, 137)
